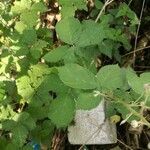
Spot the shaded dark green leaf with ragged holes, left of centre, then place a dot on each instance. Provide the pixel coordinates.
(44, 95)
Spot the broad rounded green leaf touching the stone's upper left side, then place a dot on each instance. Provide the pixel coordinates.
(61, 111)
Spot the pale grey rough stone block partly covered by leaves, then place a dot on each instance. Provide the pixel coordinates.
(91, 127)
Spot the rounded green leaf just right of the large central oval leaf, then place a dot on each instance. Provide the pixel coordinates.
(110, 77)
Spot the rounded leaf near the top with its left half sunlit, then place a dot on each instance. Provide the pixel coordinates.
(69, 30)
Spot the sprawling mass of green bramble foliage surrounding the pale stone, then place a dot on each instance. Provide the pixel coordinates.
(41, 86)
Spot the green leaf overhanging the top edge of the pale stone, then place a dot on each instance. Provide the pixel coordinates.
(87, 101)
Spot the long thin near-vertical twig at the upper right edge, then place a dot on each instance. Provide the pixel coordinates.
(137, 32)
